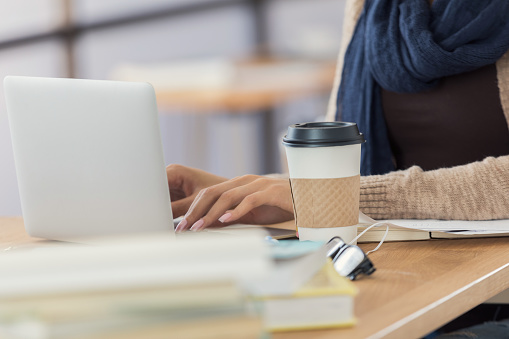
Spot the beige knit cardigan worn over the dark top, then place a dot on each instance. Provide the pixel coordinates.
(477, 191)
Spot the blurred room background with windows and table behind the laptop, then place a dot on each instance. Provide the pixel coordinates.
(229, 75)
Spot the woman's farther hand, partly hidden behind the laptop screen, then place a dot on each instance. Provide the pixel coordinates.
(185, 183)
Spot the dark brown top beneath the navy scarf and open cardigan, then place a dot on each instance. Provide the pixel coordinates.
(458, 122)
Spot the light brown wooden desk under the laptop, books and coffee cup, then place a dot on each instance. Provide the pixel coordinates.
(418, 286)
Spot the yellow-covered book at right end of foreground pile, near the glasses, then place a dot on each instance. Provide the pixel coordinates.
(325, 301)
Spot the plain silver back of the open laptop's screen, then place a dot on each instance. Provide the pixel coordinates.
(88, 157)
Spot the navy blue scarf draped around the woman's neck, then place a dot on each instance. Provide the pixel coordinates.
(406, 46)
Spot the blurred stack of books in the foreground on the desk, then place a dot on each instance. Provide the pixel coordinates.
(151, 287)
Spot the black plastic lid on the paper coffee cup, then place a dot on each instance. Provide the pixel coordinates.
(323, 134)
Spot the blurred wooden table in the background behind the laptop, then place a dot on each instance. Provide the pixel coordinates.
(249, 86)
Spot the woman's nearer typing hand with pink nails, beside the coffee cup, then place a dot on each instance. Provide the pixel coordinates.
(248, 199)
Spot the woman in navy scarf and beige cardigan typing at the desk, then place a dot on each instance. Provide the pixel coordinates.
(428, 85)
